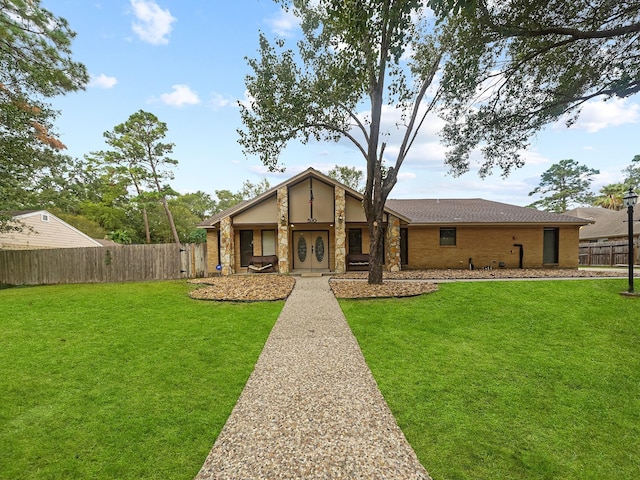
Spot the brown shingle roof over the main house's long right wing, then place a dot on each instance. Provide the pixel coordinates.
(476, 210)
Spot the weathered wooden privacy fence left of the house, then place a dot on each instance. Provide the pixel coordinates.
(122, 263)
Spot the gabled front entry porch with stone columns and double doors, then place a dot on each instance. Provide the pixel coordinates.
(309, 224)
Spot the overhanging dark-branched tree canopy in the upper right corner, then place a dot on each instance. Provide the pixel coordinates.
(518, 65)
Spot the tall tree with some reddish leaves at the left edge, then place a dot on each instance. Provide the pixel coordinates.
(35, 64)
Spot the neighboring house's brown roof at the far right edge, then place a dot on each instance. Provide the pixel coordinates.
(606, 223)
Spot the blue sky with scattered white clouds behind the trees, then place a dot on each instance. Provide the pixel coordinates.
(184, 61)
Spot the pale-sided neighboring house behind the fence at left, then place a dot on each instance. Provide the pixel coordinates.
(41, 229)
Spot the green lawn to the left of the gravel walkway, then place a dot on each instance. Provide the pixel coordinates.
(119, 381)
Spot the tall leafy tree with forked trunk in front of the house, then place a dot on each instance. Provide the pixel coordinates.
(355, 56)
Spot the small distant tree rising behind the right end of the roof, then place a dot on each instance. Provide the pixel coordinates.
(563, 184)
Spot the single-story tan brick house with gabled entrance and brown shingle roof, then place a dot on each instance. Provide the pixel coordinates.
(311, 222)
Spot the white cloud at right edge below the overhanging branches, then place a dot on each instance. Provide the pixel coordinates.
(597, 115)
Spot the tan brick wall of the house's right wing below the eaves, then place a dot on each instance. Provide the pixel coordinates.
(489, 245)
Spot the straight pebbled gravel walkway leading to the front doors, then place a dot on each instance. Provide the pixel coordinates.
(311, 408)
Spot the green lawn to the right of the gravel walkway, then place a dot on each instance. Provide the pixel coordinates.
(511, 380)
